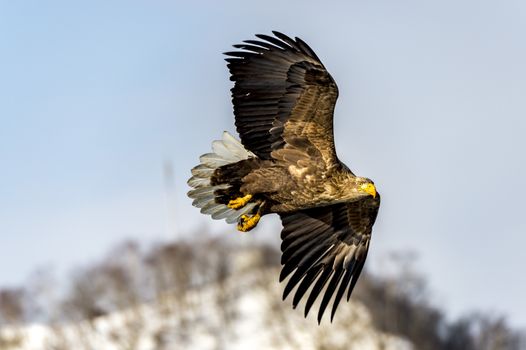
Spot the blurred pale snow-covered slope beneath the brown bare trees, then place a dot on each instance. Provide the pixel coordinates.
(244, 311)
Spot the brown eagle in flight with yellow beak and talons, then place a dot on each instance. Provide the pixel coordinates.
(286, 163)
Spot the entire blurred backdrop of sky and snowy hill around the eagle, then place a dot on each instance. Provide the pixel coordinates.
(106, 106)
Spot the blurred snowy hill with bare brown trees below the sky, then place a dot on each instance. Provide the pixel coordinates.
(177, 278)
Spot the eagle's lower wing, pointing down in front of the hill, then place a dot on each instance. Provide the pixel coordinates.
(326, 244)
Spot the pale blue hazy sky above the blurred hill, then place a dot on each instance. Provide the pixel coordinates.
(99, 99)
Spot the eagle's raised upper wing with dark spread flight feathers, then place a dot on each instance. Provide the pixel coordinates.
(283, 99)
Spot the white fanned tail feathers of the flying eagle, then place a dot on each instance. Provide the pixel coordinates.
(207, 193)
